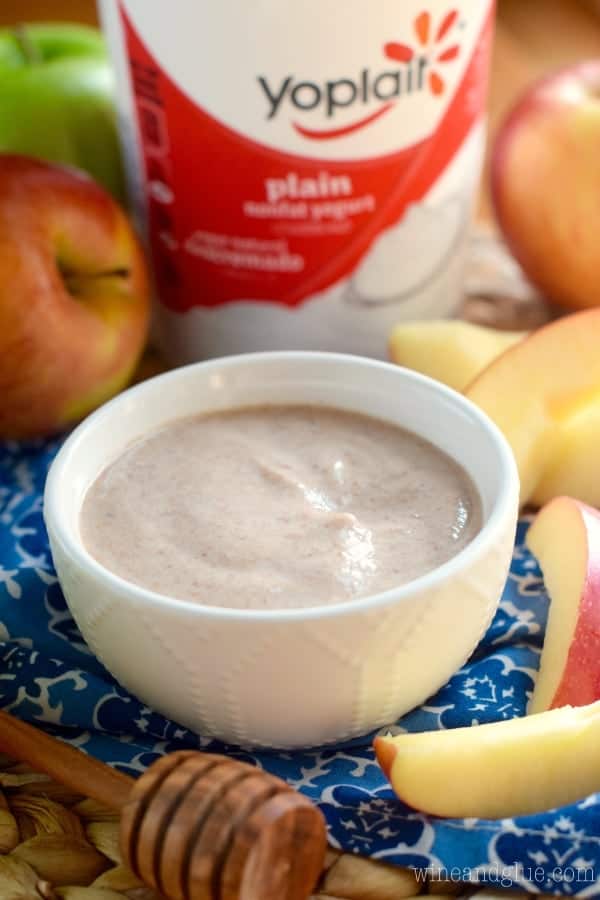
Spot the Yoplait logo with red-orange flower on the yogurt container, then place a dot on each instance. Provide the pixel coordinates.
(420, 69)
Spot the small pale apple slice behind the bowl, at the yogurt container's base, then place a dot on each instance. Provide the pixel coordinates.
(449, 350)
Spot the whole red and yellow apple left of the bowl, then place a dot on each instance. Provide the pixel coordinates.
(74, 297)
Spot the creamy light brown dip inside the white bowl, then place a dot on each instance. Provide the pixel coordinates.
(277, 507)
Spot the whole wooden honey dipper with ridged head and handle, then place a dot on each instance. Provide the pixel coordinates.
(194, 826)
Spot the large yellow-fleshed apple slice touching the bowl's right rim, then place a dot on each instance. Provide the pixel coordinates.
(534, 387)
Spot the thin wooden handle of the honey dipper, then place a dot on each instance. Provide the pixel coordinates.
(65, 764)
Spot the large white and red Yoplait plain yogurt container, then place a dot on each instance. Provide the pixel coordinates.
(303, 173)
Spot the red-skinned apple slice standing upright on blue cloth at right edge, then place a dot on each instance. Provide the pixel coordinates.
(565, 538)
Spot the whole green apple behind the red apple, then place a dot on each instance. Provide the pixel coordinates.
(57, 99)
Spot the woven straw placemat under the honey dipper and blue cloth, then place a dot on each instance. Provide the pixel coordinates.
(55, 844)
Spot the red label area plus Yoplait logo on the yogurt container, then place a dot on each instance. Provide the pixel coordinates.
(231, 218)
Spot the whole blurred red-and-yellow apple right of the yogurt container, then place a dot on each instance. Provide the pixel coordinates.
(546, 183)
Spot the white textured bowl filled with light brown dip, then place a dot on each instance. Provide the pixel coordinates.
(280, 666)
